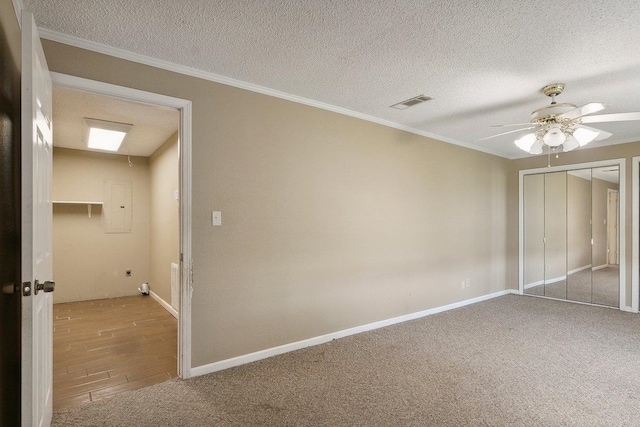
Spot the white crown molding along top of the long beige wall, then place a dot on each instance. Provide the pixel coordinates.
(193, 72)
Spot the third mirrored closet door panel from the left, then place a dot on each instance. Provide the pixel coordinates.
(579, 235)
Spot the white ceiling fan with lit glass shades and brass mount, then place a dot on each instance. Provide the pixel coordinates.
(558, 125)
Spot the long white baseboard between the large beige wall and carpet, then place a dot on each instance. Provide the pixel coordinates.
(274, 351)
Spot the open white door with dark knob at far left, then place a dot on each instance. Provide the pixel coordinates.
(37, 302)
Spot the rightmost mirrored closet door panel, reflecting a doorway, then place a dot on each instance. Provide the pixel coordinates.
(605, 214)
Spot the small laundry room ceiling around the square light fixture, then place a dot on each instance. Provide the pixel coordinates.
(152, 125)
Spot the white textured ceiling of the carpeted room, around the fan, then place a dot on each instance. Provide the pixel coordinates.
(484, 62)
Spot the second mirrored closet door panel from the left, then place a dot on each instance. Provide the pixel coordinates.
(555, 234)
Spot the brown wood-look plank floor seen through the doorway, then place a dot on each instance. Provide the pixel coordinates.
(104, 347)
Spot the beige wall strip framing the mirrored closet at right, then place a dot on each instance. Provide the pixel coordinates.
(624, 151)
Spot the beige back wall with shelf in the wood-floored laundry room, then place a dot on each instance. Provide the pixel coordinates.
(87, 263)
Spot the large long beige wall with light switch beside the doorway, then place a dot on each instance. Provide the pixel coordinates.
(328, 222)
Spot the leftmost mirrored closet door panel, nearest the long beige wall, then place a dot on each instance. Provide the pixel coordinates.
(533, 220)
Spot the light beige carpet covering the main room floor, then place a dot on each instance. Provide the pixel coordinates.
(510, 361)
